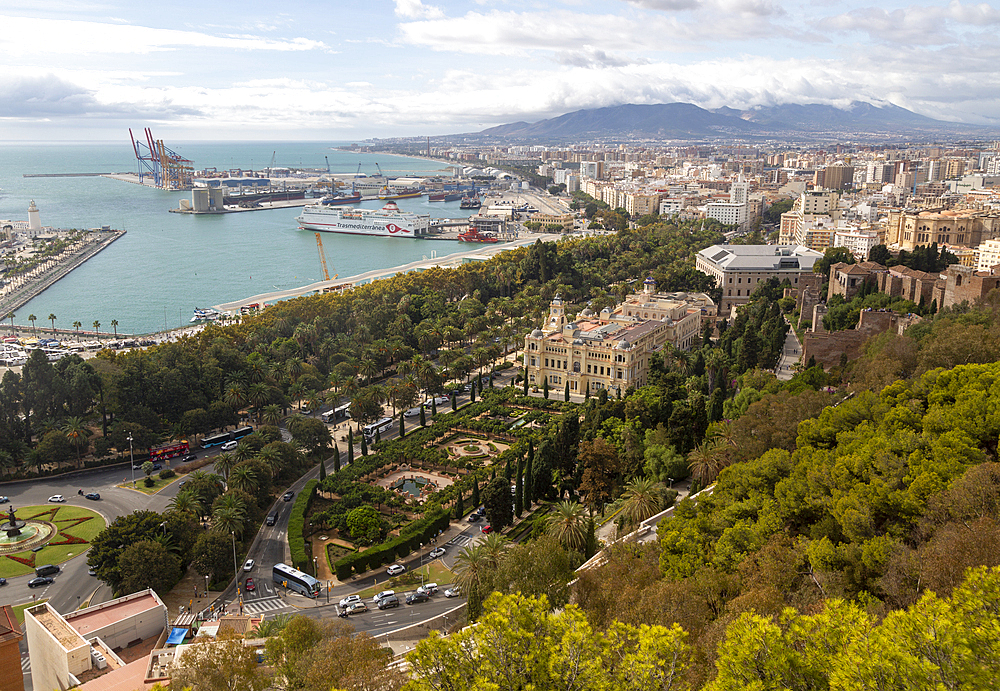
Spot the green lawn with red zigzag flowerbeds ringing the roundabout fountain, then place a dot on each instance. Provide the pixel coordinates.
(74, 523)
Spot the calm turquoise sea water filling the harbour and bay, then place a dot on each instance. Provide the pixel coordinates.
(167, 263)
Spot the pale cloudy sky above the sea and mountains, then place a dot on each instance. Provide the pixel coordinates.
(344, 69)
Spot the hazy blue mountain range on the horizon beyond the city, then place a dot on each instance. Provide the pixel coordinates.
(688, 121)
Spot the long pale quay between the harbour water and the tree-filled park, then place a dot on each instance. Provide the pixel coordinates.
(450, 260)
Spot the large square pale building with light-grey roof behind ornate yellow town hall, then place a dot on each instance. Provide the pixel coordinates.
(738, 269)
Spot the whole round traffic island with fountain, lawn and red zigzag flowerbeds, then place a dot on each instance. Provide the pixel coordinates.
(37, 535)
